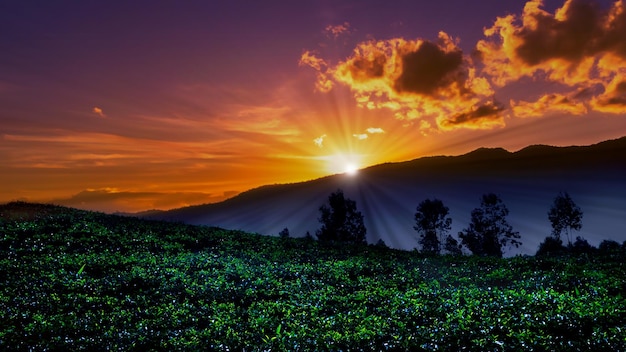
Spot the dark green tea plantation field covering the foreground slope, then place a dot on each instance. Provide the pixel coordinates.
(74, 280)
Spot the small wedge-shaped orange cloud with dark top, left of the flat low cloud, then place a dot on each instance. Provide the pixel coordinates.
(486, 116)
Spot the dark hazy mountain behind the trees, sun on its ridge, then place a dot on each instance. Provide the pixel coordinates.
(387, 194)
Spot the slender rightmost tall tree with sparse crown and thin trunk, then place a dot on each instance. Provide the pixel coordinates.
(565, 215)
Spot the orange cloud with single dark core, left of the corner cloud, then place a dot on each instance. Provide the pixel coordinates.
(416, 79)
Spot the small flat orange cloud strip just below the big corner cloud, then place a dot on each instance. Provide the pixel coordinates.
(548, 103)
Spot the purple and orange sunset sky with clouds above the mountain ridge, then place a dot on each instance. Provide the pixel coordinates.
(136, 105)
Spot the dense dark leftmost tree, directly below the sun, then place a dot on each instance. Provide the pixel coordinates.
(340, 220)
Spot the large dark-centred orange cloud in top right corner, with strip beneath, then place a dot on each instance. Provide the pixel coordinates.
(579, 45)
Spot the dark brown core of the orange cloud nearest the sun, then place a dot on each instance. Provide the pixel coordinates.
(430, 68)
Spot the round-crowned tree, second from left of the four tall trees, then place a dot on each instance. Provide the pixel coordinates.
(432, 224)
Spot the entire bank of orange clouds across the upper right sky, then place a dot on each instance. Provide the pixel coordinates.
(579, 46)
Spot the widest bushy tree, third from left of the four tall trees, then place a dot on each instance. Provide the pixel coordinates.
(488, 230)
